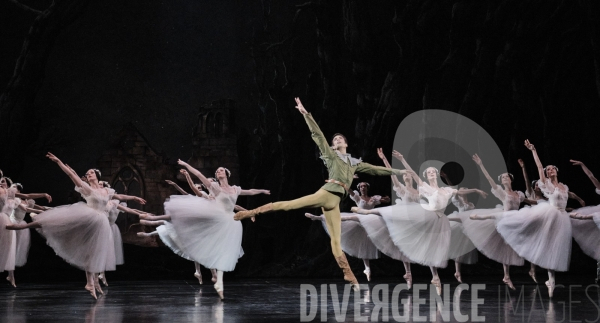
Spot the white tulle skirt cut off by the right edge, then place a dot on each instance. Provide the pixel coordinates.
(587, 233)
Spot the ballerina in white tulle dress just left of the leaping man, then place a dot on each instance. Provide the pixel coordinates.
(197, 225)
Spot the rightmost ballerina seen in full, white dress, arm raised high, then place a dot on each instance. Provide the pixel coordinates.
(541, 234)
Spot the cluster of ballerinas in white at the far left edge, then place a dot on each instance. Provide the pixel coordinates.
(83, 234)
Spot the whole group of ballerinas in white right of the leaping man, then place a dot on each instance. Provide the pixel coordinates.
(415, 229)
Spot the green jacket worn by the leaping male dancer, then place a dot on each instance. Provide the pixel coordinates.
(342, 167)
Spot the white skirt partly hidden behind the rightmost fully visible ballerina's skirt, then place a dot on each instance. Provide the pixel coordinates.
(487, 239)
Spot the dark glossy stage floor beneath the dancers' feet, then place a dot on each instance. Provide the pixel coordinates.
(283, 300)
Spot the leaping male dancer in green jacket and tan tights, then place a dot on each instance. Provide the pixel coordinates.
(341, 168)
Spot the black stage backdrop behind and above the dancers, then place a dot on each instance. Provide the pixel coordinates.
(76, 72)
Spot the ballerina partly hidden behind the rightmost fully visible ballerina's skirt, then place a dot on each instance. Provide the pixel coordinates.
(483, 233)
